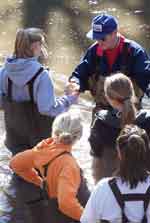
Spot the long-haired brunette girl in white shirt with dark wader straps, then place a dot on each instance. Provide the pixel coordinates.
(124, 198)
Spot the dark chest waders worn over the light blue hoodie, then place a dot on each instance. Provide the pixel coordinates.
(25, 126)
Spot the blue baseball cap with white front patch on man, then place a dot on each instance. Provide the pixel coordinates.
(102, 25)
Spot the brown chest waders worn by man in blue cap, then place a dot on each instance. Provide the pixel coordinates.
(96, 80)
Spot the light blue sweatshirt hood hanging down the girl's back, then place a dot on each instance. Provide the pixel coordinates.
(21, 70)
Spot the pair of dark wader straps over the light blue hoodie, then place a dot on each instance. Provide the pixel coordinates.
(30, 83)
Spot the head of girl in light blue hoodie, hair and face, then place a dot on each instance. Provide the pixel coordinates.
(30, 42)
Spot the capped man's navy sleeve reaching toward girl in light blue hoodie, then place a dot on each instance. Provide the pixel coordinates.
(84, 69)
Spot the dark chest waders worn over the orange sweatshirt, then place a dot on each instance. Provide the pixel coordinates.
(46, 210)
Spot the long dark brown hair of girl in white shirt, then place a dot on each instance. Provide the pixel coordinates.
(133, 147)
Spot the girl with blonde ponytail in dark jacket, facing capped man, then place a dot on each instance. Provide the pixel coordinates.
(120, 94)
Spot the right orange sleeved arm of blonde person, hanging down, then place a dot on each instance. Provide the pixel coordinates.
(68, 185)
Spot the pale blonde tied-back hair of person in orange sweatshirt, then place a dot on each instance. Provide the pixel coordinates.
(67, 127)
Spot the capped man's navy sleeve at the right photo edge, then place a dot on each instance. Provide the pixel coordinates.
(141, 68)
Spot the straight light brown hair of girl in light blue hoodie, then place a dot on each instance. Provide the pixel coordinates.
(24, 40)
